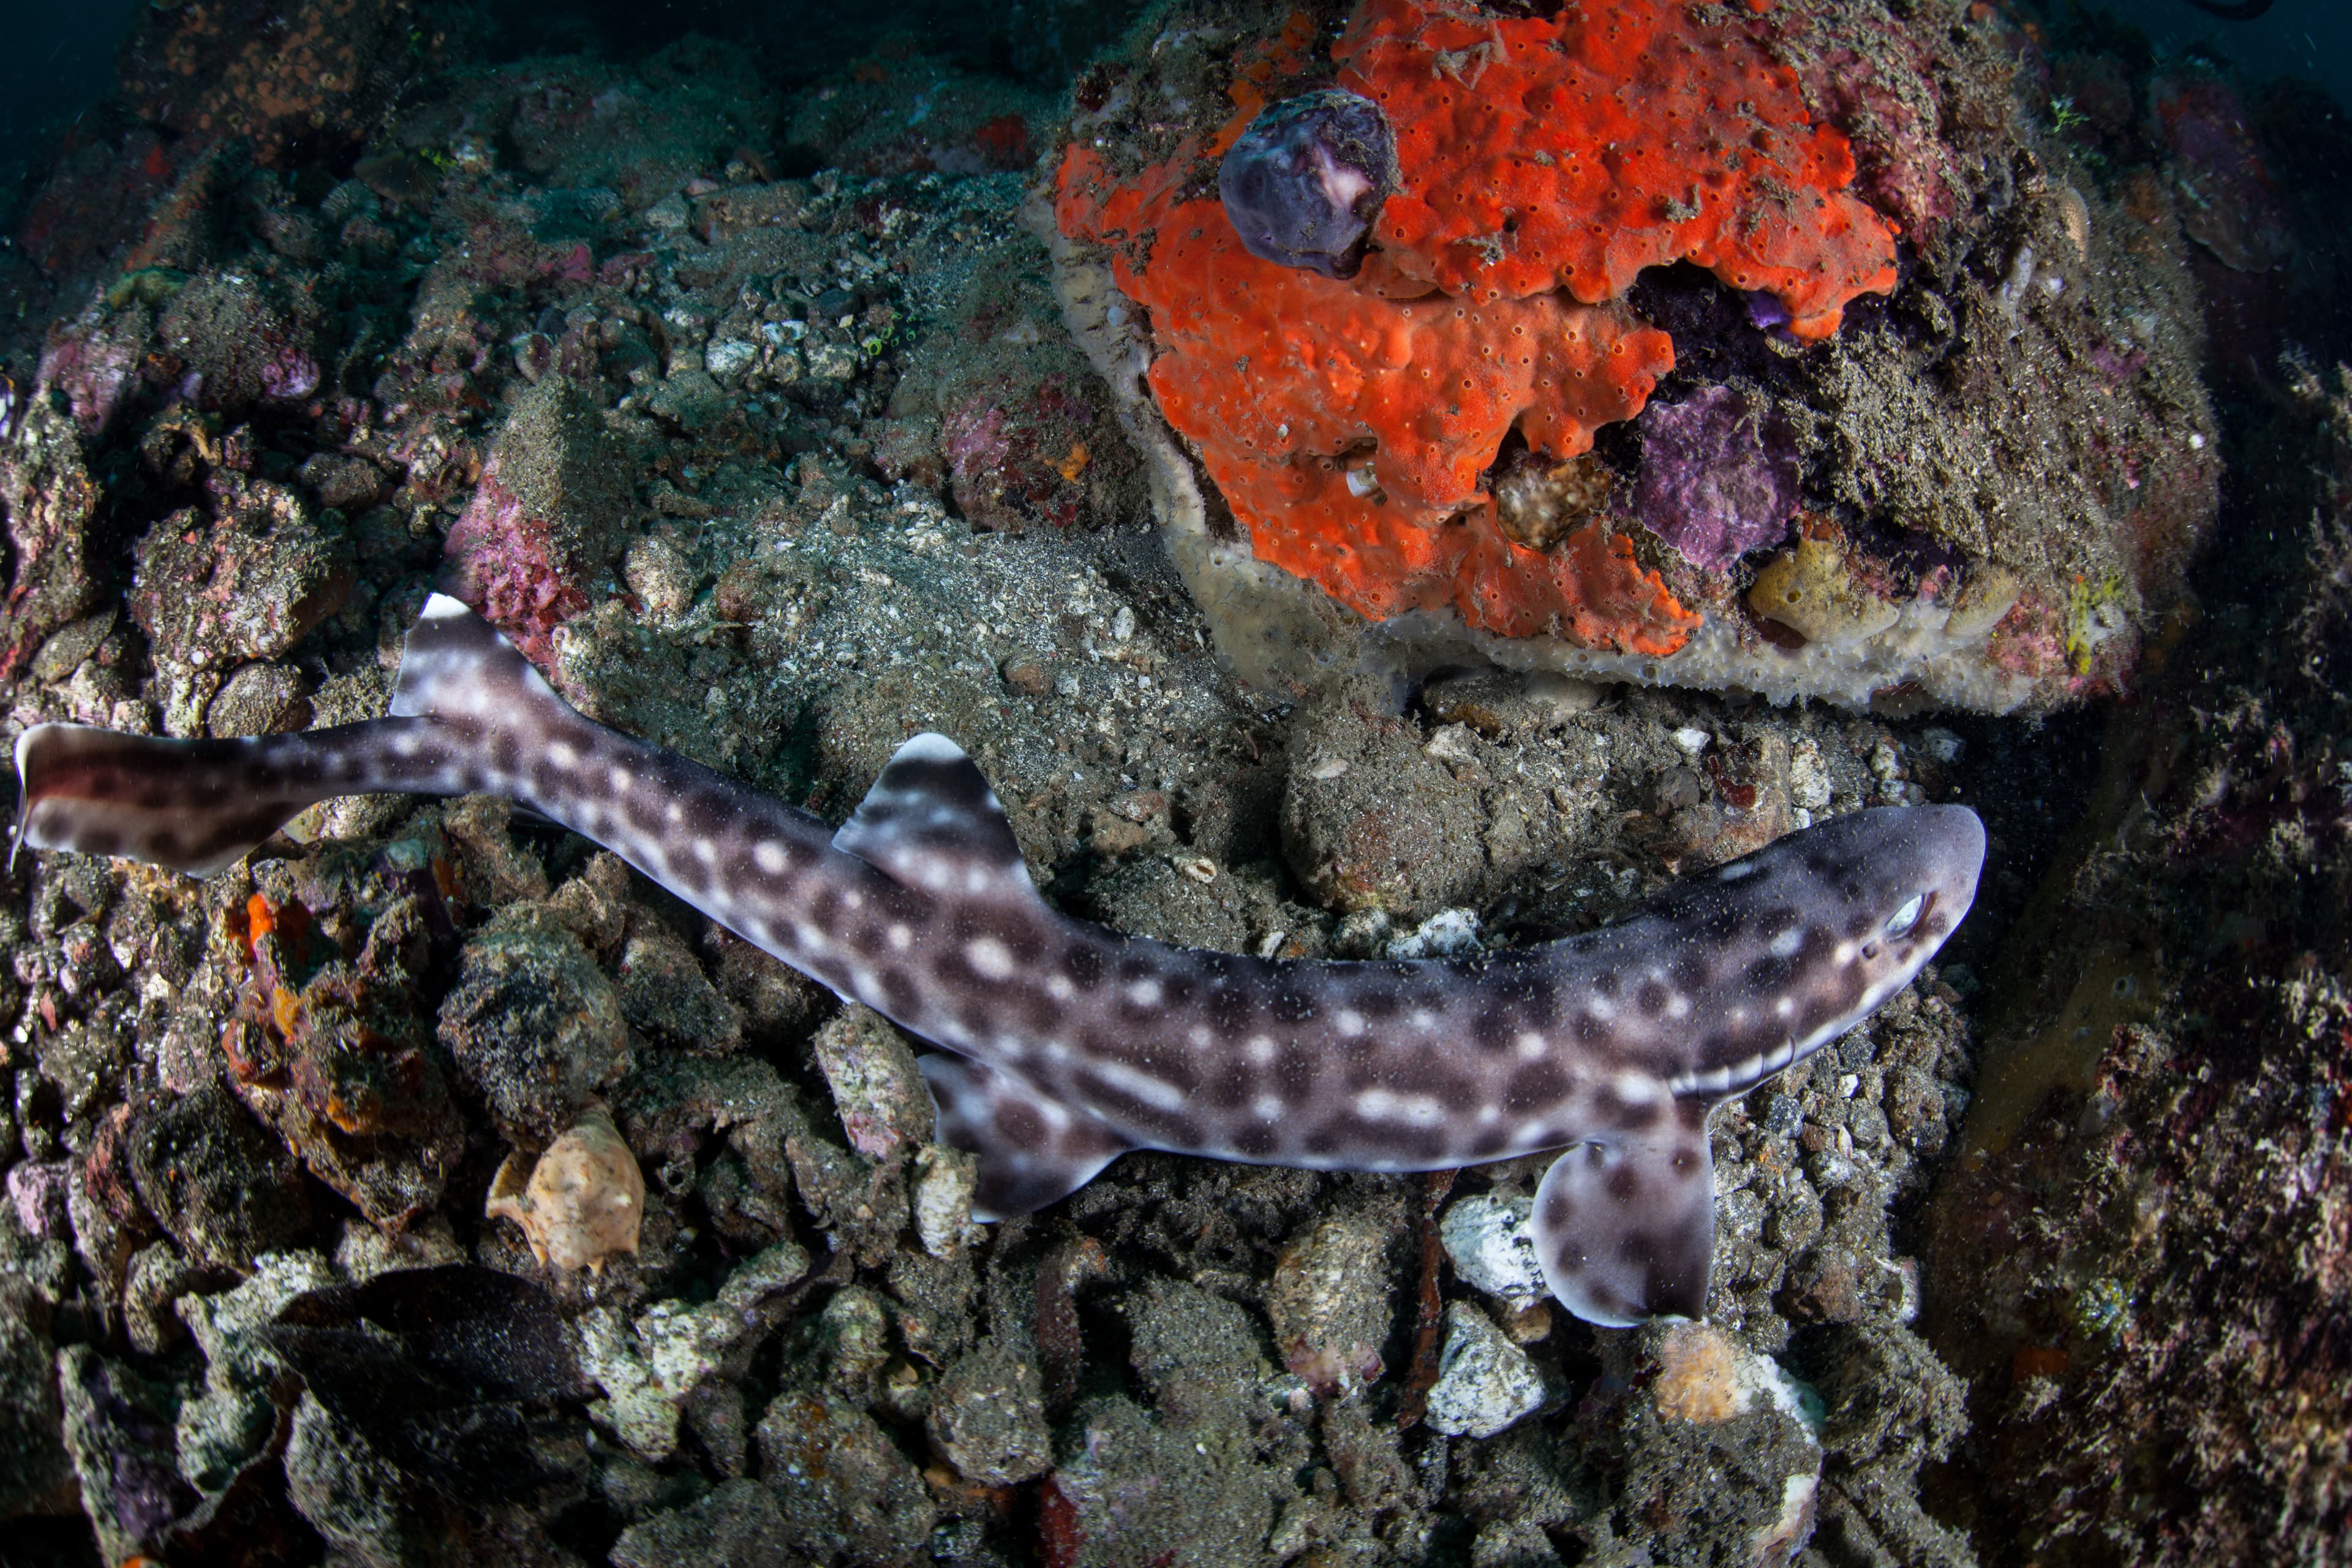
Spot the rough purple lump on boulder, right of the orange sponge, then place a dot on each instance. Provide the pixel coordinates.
(1718, 476)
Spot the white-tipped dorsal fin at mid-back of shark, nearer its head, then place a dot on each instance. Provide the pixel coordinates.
(937, 826)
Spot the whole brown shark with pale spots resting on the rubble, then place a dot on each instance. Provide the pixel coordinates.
(1067, 1045)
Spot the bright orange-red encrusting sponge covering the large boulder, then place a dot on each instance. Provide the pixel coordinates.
(1544, 163)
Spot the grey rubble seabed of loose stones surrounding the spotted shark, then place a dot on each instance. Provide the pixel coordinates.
(780, 471)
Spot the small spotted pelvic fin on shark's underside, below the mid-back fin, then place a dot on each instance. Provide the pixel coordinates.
(1034, 1151)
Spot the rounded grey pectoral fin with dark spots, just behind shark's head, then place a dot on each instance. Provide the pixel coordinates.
(1626, 1226)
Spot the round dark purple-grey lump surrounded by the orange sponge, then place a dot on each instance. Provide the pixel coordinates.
(1307, 180)
